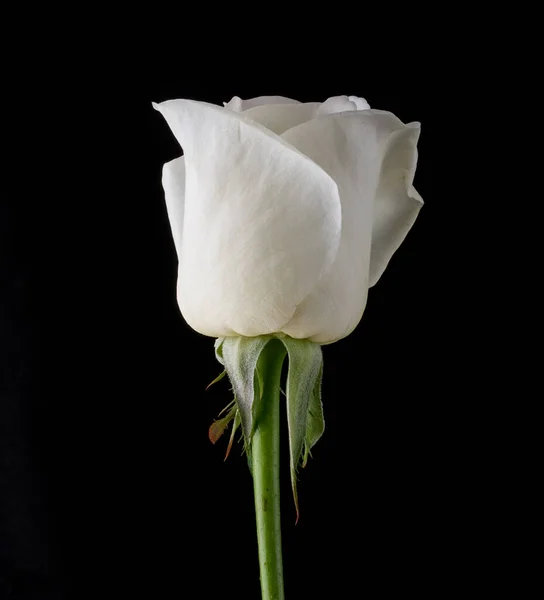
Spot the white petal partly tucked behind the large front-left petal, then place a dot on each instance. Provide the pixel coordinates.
(351, 147)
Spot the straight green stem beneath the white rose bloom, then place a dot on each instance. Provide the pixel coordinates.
(265, 452)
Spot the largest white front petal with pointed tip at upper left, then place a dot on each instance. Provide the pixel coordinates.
(261, 224)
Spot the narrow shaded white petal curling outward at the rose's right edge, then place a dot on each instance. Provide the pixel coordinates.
(397, 201)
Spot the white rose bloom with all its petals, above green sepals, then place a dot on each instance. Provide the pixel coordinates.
(284, 213)
